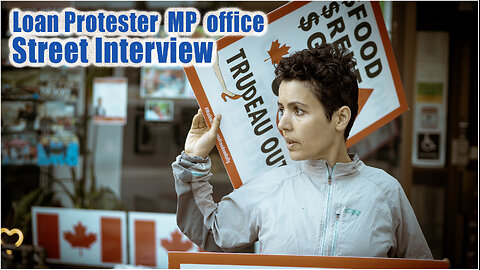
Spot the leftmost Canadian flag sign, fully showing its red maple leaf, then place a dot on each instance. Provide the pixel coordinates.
(81, 236)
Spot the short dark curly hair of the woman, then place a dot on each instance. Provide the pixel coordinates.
(331, 72)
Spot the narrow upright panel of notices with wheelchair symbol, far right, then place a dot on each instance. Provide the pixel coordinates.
(430, 100)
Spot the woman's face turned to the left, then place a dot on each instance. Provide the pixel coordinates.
(305, 127)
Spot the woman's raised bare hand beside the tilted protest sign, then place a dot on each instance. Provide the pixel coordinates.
(200, 139)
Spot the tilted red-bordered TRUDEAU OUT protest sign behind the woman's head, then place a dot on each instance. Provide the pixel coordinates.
(241, 86)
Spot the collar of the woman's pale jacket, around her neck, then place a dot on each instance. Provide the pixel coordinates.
(320, 166)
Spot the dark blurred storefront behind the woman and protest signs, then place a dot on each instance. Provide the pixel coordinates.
(56, 151)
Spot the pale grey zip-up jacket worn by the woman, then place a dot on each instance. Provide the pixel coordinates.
(362, 211)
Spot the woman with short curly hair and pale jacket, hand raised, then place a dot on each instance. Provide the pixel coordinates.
(332, 204)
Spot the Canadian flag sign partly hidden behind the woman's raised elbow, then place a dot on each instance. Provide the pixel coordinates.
(152, 235)
